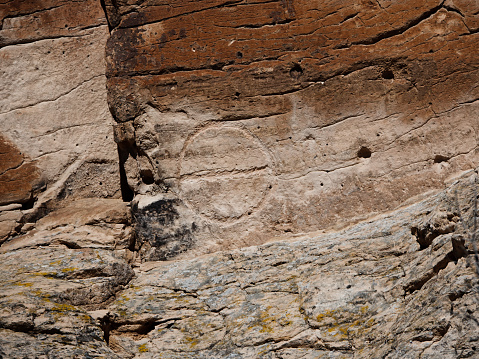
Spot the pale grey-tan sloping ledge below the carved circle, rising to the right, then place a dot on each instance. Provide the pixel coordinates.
(370, 291)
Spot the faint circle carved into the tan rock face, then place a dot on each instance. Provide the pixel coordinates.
(225, 173)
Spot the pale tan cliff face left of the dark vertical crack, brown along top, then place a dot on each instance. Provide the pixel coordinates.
(53, 98)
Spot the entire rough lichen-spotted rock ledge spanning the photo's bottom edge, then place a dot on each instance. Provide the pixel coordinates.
(401, 285)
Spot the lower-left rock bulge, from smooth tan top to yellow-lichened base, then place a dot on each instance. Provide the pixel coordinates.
(55, 278)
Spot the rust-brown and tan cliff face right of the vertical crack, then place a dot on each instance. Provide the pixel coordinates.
(269, 117)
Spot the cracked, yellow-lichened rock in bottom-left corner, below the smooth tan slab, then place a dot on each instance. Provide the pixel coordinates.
(40, 294)
